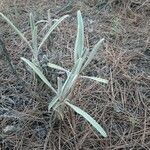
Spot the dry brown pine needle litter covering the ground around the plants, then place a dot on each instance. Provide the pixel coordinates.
(122, 107)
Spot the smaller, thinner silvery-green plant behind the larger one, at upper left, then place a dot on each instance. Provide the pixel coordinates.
(33, 45)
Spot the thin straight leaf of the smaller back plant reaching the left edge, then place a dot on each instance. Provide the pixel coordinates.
(15, 28)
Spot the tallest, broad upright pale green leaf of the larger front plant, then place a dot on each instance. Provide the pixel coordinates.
(79, 44)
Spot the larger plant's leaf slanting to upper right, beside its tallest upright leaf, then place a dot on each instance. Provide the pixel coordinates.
(93, 52)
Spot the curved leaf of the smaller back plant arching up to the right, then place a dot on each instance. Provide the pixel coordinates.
(52, 28)
